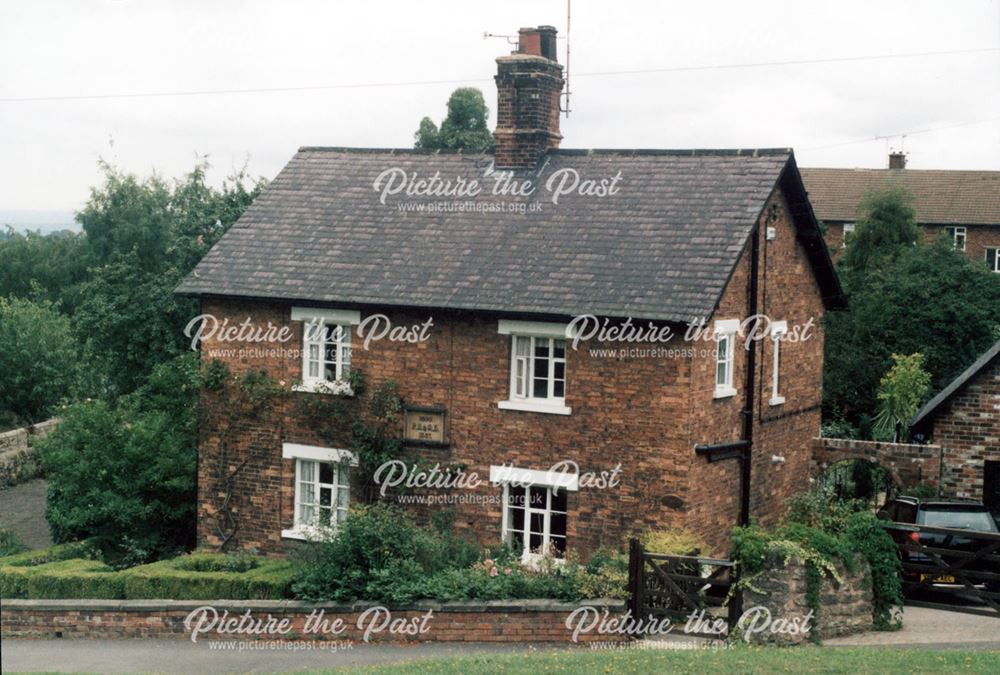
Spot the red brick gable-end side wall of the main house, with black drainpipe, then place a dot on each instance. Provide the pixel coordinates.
(787, 291)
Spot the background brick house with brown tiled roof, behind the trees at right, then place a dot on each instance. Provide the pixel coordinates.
(963, 204)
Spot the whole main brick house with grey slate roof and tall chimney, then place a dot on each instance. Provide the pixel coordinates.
(674, 237)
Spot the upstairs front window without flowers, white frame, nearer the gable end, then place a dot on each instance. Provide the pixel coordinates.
(537, 367)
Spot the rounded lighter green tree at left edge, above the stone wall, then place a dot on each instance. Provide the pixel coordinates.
(39, 360)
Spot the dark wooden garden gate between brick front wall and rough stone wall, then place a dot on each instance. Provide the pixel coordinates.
(678, 587)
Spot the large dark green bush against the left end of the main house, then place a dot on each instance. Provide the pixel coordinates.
(124, 474)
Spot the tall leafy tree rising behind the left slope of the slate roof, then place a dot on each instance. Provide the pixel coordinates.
(143, 236)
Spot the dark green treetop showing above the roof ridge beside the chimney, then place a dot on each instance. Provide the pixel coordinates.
(465, 128)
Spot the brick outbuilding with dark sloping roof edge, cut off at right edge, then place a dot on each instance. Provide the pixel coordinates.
(964, 419)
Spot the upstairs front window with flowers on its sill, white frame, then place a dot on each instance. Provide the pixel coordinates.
(326, 348)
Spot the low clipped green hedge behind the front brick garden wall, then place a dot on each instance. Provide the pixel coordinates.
(61, 572)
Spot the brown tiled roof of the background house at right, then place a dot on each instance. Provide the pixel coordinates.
(939, 197)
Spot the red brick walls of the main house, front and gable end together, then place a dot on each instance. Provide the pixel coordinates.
(646, 413)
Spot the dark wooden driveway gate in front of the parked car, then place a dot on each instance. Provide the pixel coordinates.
(962, 565)
